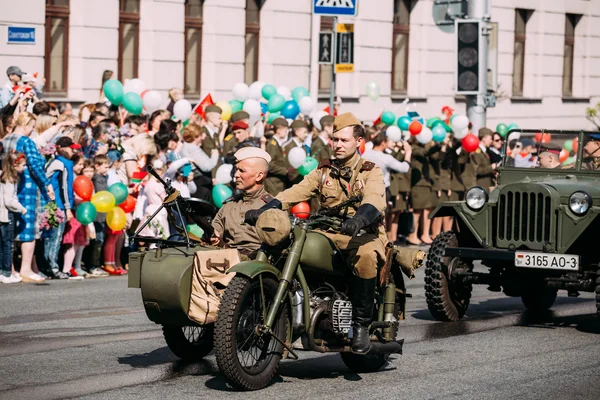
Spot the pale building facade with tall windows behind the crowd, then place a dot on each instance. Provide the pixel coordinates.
(546, 52)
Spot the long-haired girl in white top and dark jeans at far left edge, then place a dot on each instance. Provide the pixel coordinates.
(12, 166)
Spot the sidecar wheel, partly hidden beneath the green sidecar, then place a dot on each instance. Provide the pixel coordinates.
(190, 343)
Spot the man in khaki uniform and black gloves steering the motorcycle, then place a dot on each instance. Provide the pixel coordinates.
(334, 182)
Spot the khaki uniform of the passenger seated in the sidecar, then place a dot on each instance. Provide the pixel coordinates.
(229, 221)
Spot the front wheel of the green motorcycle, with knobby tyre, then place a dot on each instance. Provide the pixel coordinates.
(247, 359)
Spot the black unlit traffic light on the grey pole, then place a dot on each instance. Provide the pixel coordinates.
(470, 71)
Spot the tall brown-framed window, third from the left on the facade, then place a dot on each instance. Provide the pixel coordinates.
(193, 46)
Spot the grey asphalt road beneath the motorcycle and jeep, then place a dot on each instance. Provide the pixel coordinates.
(91, 339)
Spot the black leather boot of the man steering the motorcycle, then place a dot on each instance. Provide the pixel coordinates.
(363, 298)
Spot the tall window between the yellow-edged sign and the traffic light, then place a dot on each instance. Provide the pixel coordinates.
(401, 31)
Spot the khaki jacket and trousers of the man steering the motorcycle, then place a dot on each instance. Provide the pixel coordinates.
(364, 252)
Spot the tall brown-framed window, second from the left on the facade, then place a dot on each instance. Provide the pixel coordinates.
(129, 37)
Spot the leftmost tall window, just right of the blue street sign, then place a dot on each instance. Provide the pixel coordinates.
(56, 61)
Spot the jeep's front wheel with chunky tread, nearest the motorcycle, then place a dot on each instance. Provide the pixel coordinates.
(447, 298)
